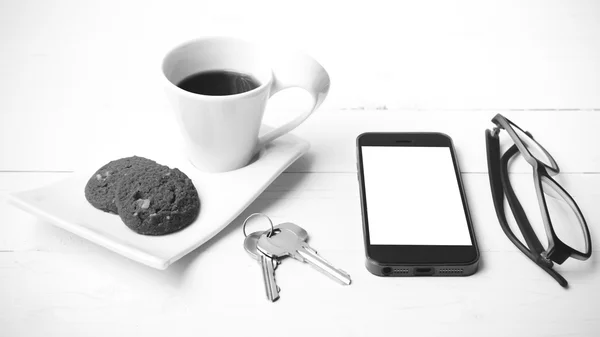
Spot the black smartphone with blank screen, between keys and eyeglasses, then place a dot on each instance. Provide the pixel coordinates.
(416, 220)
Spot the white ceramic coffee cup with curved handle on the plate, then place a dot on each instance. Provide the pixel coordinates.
(222, 132)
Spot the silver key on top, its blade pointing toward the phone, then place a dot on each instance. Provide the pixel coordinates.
(286, 242)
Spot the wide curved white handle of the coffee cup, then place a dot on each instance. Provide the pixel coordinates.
(297, 71)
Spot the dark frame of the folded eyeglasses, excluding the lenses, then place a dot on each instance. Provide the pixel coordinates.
(501, 187)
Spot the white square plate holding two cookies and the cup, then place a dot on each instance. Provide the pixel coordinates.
(223, 197)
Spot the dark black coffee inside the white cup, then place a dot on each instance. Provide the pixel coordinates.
(218, 83)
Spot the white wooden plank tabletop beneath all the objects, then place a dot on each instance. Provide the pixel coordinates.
(71, 72)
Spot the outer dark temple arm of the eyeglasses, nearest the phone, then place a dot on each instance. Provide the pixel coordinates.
(493, 156)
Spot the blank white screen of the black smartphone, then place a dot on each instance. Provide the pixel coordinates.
(412, 197)
